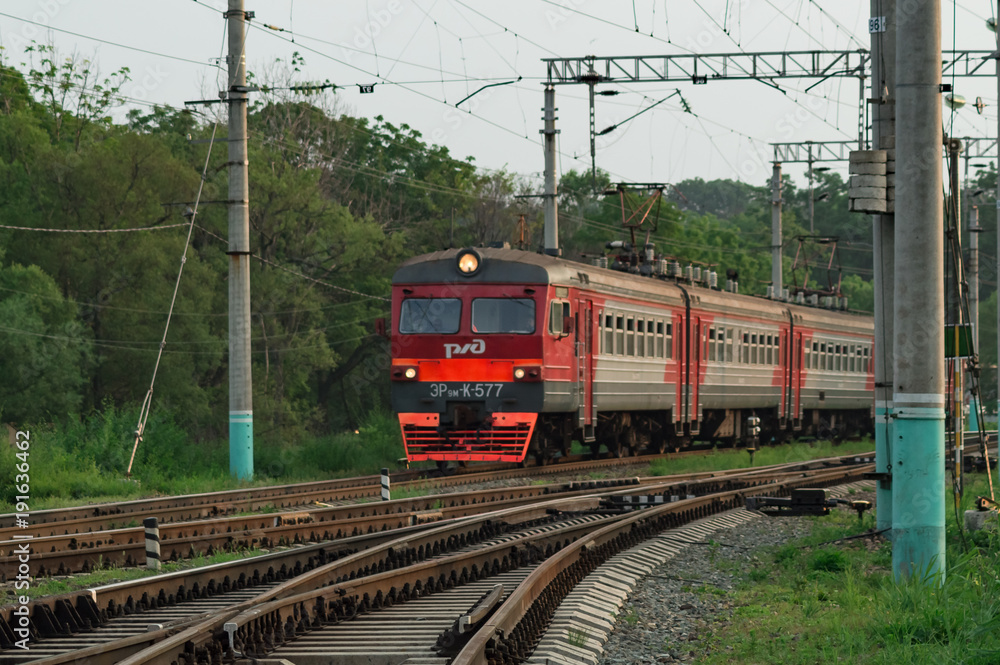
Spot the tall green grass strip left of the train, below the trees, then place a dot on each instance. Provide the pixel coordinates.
(85, 461)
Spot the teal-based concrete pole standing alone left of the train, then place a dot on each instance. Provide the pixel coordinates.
(240, 384)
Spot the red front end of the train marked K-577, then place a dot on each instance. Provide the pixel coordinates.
(467, 365)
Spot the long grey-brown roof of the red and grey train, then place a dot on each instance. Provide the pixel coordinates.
(507, 266)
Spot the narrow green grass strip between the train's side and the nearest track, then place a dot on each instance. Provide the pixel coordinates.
(737, 458)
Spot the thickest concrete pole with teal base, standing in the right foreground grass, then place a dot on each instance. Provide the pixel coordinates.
(918, 393)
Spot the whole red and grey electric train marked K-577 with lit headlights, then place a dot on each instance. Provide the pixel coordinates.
(501, 353)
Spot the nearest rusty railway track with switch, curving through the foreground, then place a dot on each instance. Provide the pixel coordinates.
(411, 567)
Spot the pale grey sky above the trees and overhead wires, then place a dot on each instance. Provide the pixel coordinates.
(426, 55)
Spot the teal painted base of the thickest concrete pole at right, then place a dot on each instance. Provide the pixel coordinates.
(918, 500)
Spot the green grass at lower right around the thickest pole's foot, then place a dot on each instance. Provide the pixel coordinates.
(816, 601)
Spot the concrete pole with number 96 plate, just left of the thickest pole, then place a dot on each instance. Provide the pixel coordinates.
(883, 232)
